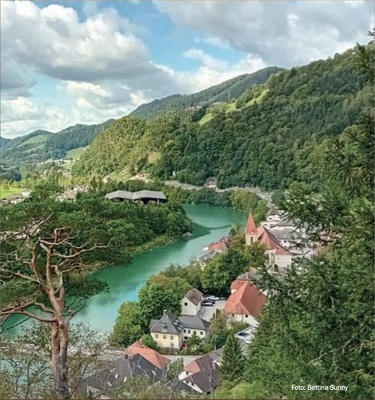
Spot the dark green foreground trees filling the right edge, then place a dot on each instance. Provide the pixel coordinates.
(318, 326)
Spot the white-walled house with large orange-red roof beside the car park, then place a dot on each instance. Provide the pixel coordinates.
(245, 303)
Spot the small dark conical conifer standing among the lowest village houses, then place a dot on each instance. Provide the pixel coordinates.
(233, 359)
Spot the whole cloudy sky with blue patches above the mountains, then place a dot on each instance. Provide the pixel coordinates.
(67, 62)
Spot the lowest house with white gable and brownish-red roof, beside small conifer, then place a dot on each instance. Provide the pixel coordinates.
(202, 374)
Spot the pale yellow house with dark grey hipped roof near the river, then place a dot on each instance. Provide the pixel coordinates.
(167, 331)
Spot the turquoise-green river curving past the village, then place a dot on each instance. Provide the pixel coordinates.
(209, 224)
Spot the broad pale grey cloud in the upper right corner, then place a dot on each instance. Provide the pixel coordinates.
(266, 29)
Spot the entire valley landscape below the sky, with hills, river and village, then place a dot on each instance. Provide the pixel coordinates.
(233, 226)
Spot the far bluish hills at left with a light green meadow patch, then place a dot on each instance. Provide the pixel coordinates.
(42, 145)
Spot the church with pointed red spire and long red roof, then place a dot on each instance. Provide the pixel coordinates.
(278, 257)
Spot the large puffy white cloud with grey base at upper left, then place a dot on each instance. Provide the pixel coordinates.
(52, 41)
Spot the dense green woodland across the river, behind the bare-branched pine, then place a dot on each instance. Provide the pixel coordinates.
(125, 228)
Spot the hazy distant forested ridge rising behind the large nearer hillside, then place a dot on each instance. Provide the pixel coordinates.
(223, 92)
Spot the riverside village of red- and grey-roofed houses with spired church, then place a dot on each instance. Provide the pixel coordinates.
(173, 333)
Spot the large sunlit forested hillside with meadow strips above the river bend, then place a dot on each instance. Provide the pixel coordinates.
(270, 137)
